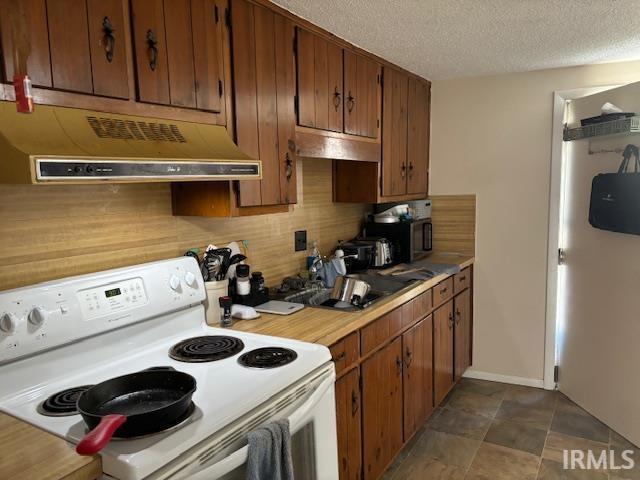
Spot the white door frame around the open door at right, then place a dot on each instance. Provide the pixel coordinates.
(561, 99)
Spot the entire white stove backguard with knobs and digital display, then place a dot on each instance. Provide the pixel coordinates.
(51, 314)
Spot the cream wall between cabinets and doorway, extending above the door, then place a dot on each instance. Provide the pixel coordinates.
(492, 136)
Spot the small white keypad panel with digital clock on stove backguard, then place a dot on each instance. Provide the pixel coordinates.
(99, 301)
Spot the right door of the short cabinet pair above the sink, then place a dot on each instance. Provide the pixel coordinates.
(362, 95)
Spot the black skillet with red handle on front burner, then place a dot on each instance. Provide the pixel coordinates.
(132, 405)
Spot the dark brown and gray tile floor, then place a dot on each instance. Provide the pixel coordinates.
(493, 431)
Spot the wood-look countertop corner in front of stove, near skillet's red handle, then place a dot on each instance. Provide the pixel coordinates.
(30, 453)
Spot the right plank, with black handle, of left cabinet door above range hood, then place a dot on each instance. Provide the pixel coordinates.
(107, 42)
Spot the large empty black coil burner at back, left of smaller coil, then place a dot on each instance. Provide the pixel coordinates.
(208, 348)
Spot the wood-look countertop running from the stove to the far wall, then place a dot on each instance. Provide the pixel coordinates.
(326, 326)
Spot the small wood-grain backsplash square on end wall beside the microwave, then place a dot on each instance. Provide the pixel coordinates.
(454, 223)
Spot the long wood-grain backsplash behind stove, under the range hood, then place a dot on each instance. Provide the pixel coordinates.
(54, 231)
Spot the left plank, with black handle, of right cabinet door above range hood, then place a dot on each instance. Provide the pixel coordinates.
(150, 50)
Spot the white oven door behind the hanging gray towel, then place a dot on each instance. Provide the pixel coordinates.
(312, 422)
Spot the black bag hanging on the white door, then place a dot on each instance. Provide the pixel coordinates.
(615, 197)
